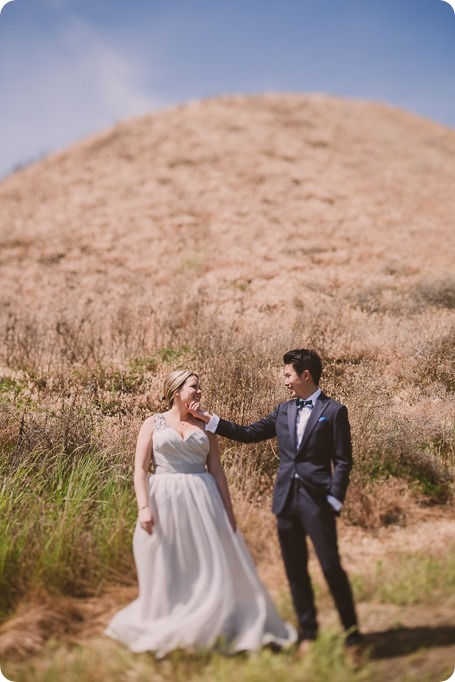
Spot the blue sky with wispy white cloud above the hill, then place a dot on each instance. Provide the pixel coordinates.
(69, 68)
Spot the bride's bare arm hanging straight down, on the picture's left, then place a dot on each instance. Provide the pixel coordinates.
(141, 466)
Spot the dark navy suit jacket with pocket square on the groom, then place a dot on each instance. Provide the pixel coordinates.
(324, 458)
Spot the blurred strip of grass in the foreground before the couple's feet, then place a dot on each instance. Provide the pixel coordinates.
(105, 660)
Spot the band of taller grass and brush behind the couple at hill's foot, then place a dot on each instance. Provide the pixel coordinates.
(74, 392)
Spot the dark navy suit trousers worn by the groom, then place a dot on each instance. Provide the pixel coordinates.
(308, 513)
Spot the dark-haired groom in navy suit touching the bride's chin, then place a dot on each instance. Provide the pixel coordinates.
(315, 461)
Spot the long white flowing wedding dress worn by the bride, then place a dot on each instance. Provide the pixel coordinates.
(198, 585)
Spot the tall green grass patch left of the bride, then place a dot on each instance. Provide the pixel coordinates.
(65, 523)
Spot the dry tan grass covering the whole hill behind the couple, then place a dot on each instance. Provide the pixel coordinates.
(216, 236)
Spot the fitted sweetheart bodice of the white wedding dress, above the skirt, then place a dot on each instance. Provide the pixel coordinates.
(174, 454)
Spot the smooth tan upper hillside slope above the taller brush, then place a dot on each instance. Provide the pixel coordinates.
(258, 205)
